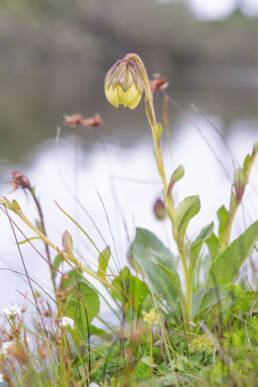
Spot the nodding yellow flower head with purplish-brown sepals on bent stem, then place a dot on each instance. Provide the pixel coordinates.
(124, 84)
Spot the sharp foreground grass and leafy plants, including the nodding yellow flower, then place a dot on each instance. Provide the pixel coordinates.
(164, 331)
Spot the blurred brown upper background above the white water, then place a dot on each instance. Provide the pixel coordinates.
(54, 55)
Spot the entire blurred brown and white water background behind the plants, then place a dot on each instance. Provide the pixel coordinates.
(53, 60)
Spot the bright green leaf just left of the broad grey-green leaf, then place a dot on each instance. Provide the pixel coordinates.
(130, 290)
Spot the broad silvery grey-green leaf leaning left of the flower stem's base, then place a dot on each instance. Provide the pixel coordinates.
(158, 266)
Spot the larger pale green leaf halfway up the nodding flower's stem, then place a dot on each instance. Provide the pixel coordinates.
(185, 211)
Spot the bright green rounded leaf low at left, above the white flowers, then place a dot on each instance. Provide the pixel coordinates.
(82, 303)
